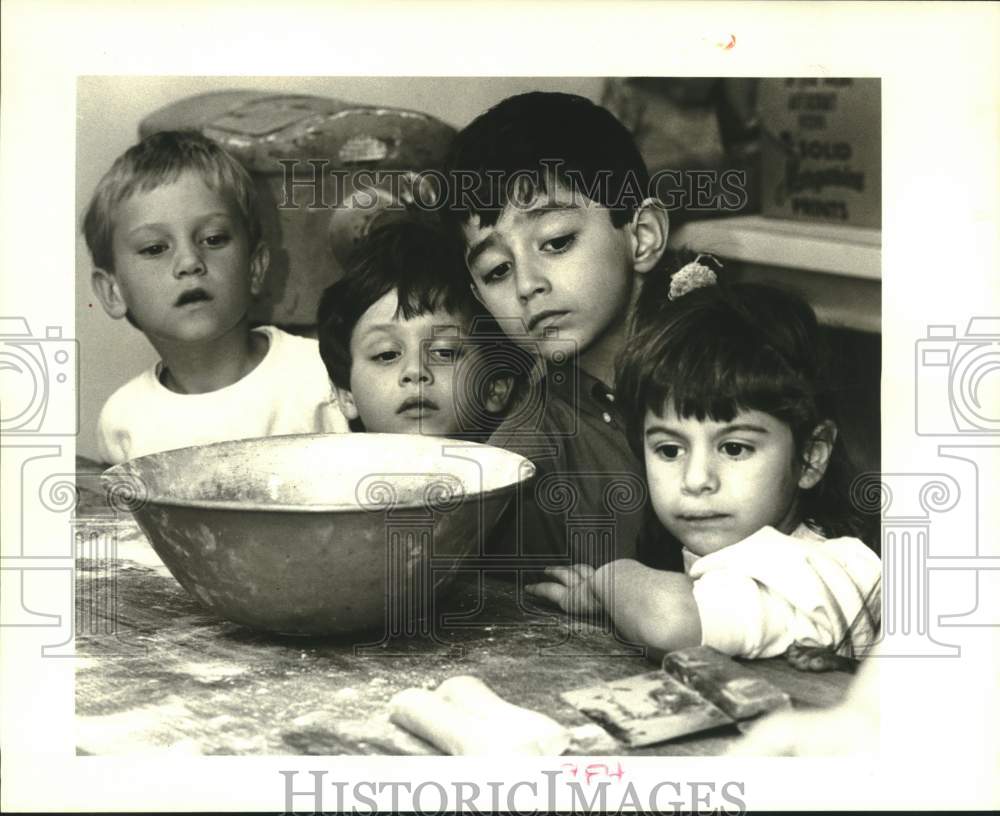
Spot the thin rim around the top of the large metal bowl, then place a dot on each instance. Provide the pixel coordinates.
(132, 499)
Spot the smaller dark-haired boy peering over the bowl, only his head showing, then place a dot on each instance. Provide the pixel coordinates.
(405, 352)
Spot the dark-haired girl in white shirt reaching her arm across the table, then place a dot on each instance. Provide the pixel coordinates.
(725, 397)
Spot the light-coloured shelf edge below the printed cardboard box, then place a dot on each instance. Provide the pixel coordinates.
(854, 252)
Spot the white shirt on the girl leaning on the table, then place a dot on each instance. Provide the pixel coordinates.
(758, 596)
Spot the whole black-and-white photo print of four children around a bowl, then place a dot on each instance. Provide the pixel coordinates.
(327, 514)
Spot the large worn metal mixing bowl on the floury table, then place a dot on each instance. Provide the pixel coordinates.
(319, 534)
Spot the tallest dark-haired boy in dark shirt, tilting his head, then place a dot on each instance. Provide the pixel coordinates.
(549, 191)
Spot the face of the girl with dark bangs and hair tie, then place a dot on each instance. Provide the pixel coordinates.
(712, 484)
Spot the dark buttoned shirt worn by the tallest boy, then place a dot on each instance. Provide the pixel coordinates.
(588, 502)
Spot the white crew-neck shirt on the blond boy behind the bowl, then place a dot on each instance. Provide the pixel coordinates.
(288, 392)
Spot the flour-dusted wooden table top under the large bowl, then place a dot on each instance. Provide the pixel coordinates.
(156, 671)
